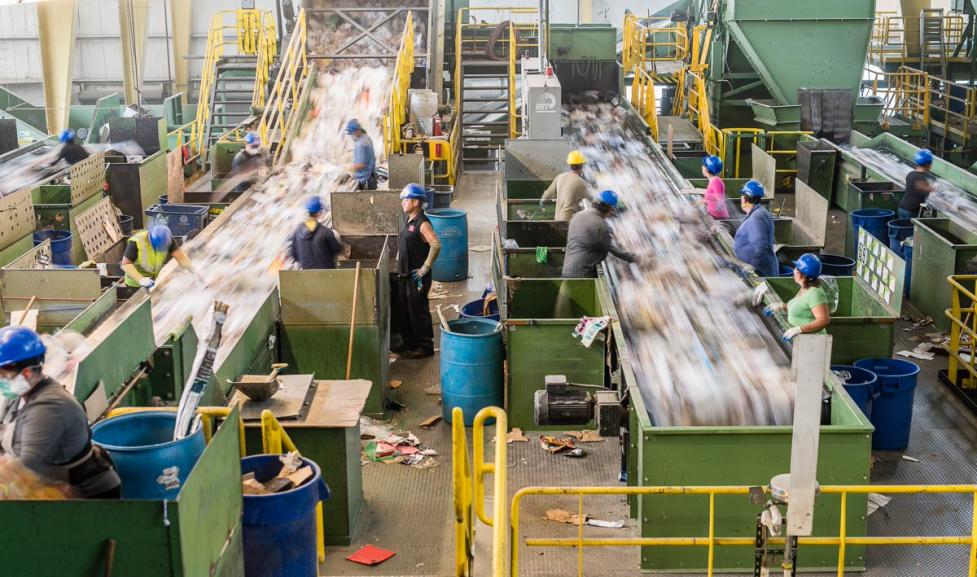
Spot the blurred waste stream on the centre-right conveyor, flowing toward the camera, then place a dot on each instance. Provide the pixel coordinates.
(701, 357)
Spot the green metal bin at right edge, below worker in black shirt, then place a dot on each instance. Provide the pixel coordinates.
(941, 248)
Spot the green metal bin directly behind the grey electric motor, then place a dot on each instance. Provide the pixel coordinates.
(539, 316)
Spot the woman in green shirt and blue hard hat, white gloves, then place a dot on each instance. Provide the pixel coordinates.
(808, 312)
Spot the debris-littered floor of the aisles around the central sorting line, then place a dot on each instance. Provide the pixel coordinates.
(410, 511)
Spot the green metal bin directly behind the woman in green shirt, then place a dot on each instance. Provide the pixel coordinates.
(863, 325)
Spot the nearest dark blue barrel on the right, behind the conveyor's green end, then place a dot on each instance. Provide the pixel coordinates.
(892, 412)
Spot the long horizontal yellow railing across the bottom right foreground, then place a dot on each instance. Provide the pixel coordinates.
(711, 542)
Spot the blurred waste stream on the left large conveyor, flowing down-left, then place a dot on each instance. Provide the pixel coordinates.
(237, 261)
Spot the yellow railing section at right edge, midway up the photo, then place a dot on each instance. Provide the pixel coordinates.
(963, 330)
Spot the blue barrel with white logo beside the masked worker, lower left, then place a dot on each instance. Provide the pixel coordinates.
(151, 464)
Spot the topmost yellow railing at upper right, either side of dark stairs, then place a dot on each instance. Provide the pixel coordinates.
(896, 38)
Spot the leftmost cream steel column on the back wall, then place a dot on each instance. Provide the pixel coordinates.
(56, 28)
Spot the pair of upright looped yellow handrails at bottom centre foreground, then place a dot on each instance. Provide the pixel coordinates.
(469, 488)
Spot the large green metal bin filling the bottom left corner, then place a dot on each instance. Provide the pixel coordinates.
(198, 533)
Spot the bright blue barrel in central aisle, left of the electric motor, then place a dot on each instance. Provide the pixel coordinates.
(471, 367)
